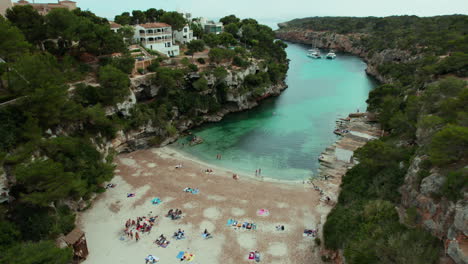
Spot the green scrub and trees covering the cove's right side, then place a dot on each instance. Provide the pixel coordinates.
(423, 107)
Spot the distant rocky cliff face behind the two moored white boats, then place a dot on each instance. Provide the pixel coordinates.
(345, 43)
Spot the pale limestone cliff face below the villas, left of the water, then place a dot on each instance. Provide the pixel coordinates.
(144, 89)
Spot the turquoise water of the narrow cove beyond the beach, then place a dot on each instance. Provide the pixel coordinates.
(285, 135)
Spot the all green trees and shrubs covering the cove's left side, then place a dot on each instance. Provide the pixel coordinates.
(61, 86)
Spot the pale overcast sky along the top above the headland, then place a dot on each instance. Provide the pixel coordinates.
(280, 10)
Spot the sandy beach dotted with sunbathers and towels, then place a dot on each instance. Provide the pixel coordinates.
(151, 173)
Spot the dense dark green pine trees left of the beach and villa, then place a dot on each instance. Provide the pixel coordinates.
(42, 55)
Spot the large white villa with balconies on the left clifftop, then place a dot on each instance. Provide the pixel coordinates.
(158, 37)
